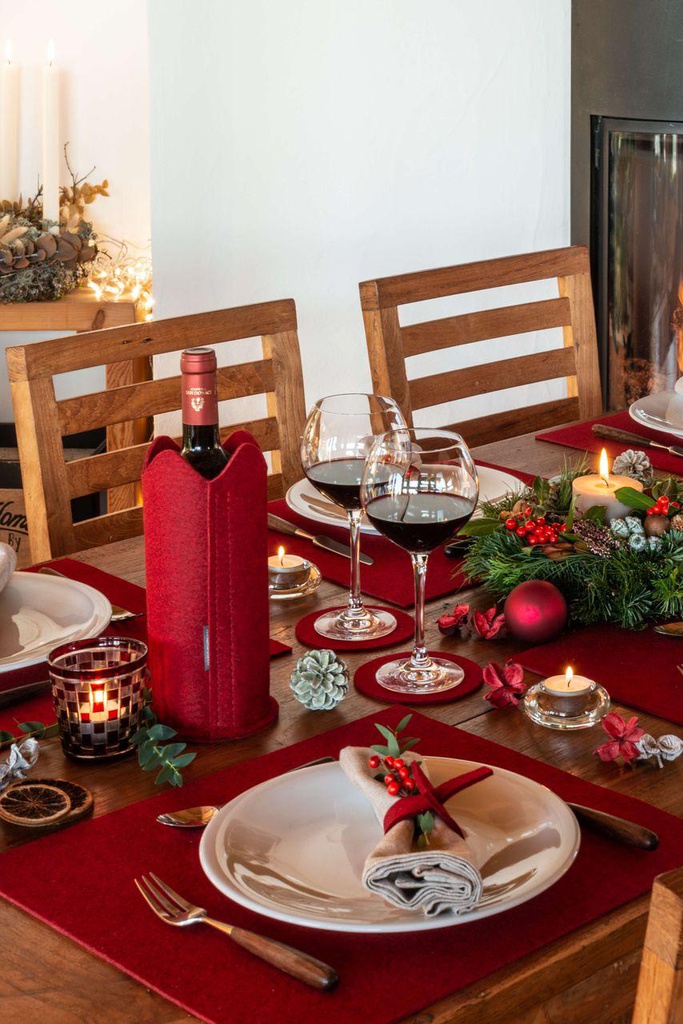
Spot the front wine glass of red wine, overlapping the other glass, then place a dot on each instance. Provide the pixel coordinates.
(419, 488)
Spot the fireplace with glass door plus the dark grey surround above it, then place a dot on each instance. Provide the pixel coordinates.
(627, 186)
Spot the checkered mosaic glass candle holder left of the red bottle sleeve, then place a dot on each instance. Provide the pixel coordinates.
(99, 695)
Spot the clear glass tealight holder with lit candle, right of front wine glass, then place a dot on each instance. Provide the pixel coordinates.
(567, 702)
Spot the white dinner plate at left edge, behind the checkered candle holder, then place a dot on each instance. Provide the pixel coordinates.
(38, 613)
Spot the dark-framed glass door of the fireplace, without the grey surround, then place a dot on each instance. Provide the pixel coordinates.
(637, 249)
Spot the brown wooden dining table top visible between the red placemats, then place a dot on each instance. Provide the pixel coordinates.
(589, 976)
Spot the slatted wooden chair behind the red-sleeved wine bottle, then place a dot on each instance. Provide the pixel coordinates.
(51, 484)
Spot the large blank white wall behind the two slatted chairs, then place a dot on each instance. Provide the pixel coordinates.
(300, 147)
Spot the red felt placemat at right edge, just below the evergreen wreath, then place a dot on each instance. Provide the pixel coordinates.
(637, 669)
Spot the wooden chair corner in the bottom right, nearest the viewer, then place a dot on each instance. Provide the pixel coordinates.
(660, 994)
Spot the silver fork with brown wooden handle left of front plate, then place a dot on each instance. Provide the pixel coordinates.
(174, 910)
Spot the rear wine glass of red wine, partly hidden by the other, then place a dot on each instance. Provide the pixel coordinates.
(337, 439)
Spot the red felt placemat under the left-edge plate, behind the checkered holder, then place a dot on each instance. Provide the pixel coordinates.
(129, 595)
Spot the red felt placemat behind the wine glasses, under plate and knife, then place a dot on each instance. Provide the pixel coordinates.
(391, 579)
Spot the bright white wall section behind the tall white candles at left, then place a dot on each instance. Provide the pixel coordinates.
(102, 48)
